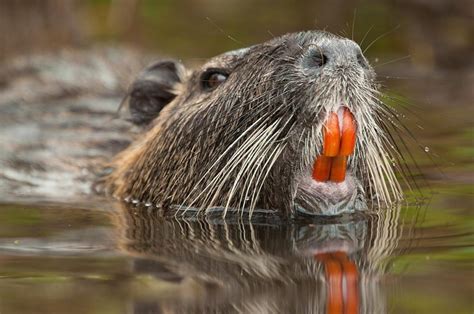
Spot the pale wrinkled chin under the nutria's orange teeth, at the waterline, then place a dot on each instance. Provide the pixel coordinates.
(329, 198)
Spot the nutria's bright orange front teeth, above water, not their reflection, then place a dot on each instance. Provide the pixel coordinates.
(339, 137)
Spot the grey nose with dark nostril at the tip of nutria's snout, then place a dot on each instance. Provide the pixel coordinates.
(335, 53)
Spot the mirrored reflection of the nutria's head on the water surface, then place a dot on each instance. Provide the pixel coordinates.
(267, 266)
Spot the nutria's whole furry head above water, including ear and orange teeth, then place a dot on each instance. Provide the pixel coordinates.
(269, 126)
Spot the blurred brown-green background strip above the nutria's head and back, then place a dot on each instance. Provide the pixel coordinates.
(435, 33)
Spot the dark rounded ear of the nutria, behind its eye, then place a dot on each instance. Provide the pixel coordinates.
(153, 89)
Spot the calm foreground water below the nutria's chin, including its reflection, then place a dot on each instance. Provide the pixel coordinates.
(62, 259)
